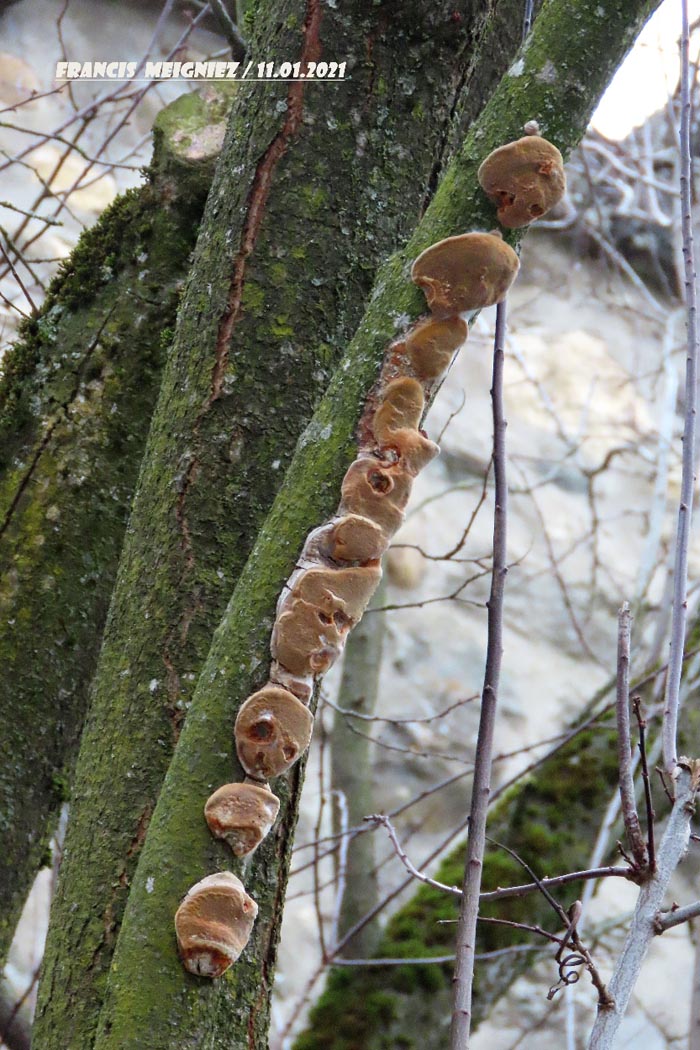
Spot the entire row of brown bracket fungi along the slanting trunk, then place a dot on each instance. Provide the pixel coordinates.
(340, 568)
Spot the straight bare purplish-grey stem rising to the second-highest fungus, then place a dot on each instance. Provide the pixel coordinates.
(482, 785)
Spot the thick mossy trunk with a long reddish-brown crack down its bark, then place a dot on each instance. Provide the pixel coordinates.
(313, 188)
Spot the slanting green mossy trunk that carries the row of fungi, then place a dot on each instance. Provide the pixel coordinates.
(147, 989)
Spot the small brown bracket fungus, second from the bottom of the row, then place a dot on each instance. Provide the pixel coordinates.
(242, 814)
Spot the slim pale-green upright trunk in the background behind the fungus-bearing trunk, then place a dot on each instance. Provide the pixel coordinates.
(352, 776)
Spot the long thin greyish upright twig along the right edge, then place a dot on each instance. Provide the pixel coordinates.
(670, 731)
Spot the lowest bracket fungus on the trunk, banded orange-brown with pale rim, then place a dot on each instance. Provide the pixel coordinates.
(214, 925)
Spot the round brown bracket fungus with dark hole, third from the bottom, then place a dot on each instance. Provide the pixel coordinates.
(273, 729)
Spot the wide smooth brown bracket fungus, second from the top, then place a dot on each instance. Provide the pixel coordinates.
(466, 272)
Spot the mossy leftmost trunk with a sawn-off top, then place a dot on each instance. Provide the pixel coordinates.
(76, 398)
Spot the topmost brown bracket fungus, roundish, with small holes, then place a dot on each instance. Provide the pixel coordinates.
(524, 179)
